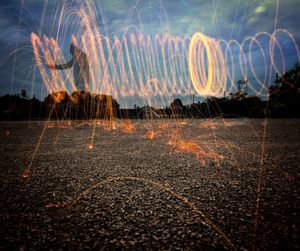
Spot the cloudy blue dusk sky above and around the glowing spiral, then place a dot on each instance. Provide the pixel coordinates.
(220, 19)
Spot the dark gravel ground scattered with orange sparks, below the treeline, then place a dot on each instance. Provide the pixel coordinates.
(232, 185)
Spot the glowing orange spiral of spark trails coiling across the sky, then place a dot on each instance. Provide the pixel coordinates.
(163, 65)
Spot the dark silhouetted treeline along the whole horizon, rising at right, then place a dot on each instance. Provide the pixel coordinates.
(284, 101)
